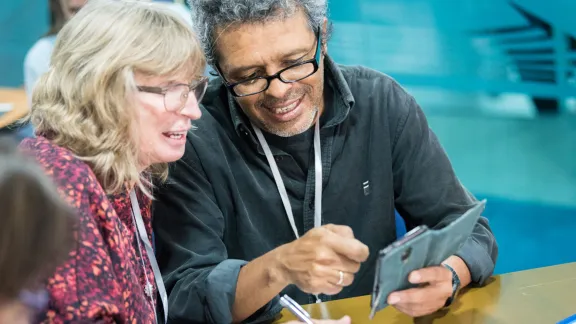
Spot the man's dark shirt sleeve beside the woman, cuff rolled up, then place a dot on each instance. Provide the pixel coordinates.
(189, 227)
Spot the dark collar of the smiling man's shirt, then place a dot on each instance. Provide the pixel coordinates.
(336, 111)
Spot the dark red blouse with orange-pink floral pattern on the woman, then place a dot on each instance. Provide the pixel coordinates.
(103, 280)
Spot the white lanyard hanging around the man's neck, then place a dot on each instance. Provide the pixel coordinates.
(280, 183)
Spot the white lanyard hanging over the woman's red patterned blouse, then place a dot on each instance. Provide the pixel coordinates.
(151, 256)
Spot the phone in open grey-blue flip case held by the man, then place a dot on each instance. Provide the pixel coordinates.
(420, 248)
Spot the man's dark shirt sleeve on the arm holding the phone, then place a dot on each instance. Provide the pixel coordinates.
(426, 188)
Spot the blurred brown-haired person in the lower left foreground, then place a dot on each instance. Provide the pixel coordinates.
(36, 228)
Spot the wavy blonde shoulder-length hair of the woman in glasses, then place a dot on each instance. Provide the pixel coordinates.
(85, 102)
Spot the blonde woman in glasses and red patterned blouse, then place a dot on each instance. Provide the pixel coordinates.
(123, 86)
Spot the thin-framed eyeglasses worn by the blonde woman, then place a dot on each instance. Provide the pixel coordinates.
(176, 96)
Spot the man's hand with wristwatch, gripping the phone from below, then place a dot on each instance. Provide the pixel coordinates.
(436, 288)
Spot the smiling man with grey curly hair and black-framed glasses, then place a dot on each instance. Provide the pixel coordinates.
(290, 143)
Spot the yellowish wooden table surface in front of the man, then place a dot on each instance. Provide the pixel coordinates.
(545, 295)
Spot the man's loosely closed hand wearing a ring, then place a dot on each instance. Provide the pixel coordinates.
(314, 262)
